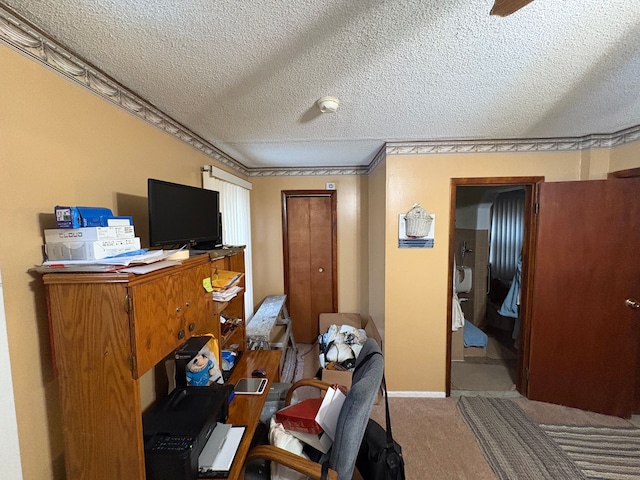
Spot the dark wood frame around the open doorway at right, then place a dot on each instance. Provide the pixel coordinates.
(531, 187)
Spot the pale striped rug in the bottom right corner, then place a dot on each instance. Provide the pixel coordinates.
(600, 452)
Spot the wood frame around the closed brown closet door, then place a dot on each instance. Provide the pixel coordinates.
(332, 194)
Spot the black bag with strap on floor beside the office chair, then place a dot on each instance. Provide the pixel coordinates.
(380, 456)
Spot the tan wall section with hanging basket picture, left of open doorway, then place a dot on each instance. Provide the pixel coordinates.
(416, 279)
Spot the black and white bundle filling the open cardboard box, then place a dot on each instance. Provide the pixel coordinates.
(340, 346)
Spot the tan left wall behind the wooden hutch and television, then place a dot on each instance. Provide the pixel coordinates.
(60, 144)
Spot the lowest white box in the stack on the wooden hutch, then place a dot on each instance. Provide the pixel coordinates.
(96, 250)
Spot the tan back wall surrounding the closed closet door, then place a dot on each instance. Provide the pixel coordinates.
(266, 227)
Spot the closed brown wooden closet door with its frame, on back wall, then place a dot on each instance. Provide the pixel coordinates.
(309, 230)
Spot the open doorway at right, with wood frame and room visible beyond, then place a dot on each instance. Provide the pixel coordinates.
(492, 224)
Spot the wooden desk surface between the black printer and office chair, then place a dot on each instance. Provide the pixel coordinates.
(246, 409)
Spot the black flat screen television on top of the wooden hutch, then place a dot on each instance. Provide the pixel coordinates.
(181, 214)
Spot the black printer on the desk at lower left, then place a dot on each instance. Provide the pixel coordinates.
(177, 429)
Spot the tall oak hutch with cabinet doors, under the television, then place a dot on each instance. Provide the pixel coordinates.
(108, 329)
